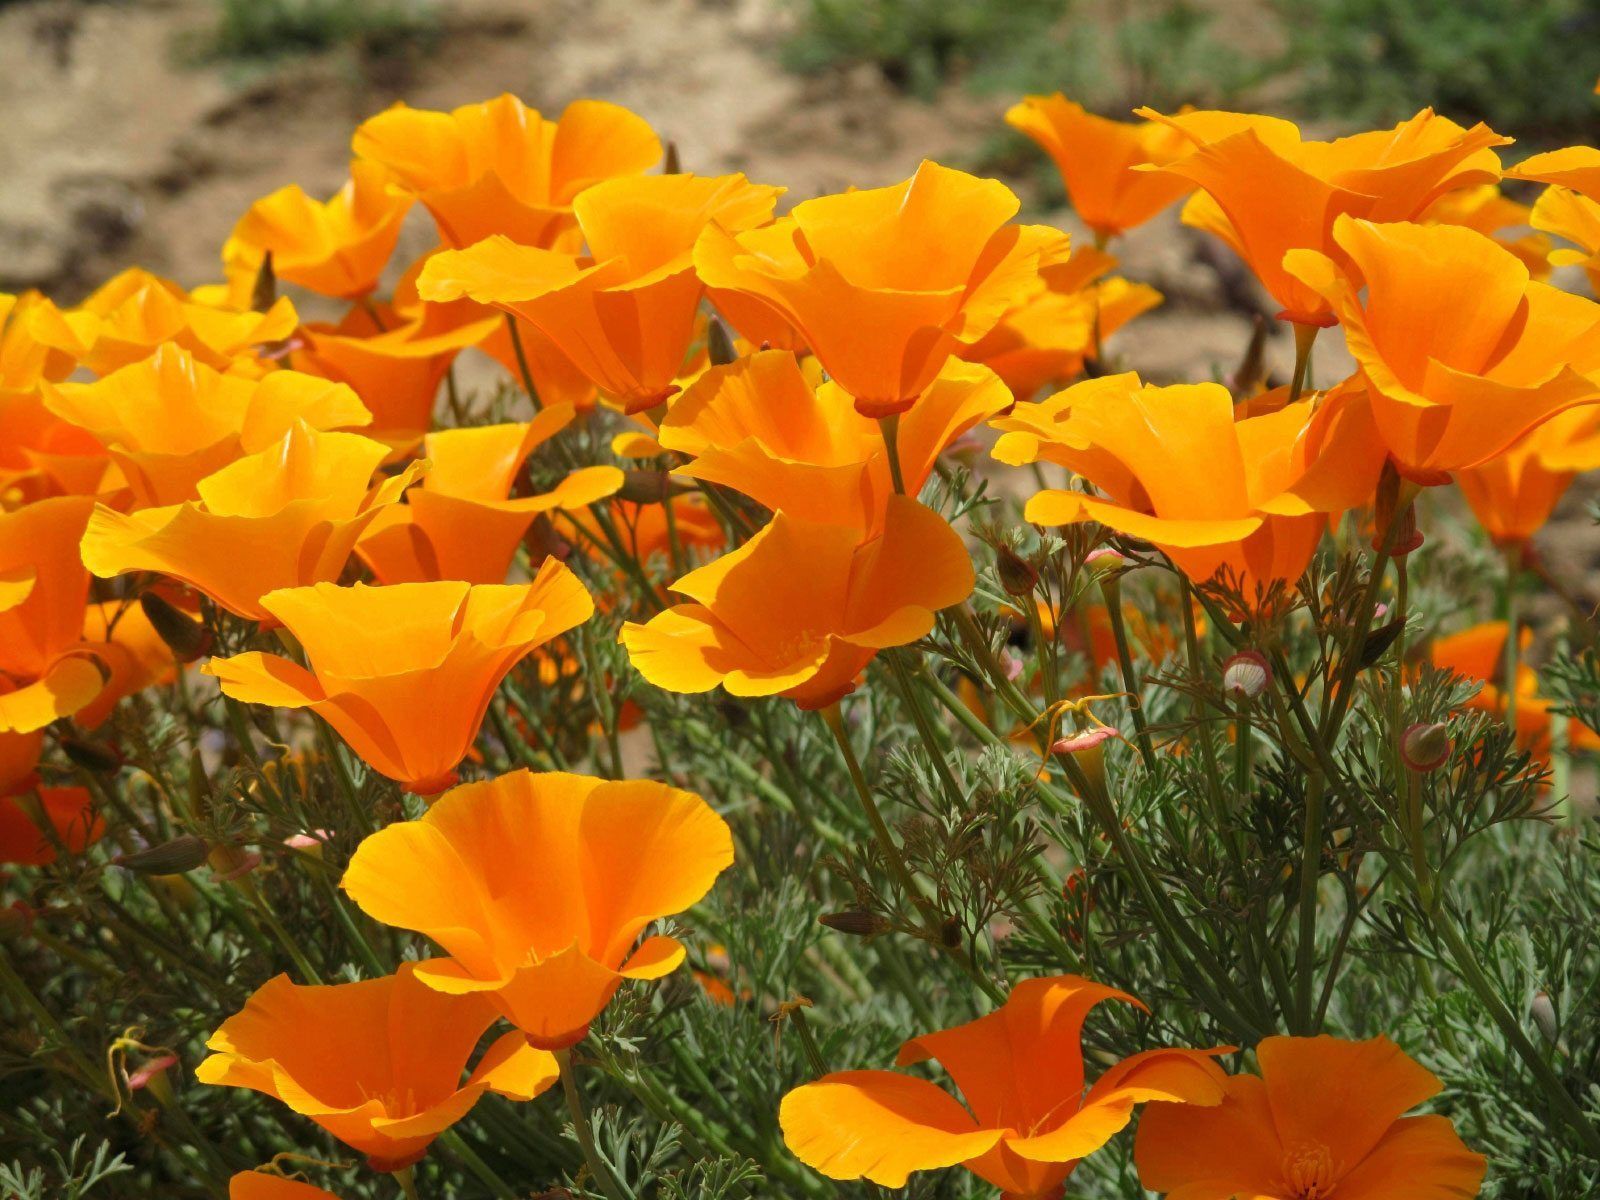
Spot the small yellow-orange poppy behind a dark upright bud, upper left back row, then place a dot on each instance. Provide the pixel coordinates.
(337, 247)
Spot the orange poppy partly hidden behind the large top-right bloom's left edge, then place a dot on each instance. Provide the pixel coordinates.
(1097, 158)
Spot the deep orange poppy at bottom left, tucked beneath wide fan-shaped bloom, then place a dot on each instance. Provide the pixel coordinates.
(375, 1063)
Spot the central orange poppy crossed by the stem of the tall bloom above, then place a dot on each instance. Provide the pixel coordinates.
(761, 428)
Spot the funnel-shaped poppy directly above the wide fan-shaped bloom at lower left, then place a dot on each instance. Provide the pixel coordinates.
(406, 673)
